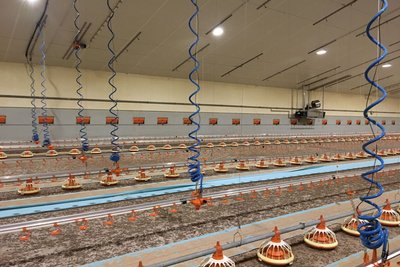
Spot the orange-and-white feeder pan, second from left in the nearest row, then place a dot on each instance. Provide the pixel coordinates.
(275, 252)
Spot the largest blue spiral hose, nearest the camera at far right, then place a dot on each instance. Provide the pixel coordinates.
(372, 234)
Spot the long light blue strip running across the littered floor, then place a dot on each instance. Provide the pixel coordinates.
(108, 198)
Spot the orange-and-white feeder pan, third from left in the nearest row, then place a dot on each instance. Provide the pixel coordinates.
(321, 237)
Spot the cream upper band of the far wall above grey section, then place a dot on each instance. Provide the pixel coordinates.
(61, 83)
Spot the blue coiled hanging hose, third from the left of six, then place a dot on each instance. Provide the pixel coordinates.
(82, 131)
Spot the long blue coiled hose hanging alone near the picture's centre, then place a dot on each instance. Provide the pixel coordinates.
(194, 162)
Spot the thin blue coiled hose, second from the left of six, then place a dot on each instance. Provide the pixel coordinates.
(46, 133)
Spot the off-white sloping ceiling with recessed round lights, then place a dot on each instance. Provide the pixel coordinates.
(282, 30)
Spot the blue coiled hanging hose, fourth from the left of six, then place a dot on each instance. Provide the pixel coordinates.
(114, 136)
